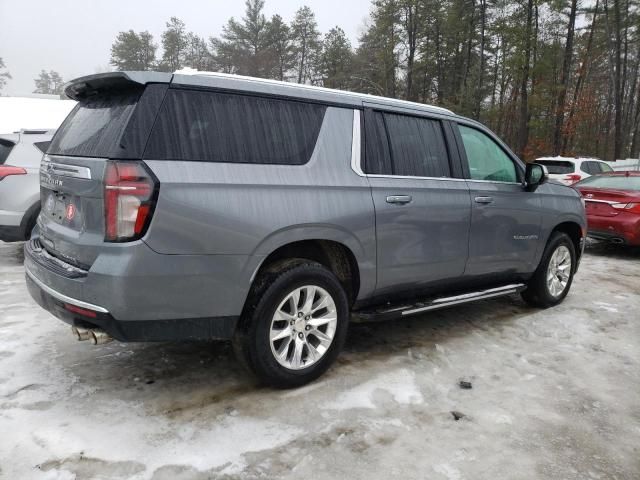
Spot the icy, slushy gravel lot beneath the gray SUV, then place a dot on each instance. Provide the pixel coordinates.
(556, 394)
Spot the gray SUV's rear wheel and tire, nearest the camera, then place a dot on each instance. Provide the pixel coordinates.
(294, 323)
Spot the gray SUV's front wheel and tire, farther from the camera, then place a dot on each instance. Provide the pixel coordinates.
(552, 280)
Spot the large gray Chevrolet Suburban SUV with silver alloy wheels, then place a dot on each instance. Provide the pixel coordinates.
(209, 206)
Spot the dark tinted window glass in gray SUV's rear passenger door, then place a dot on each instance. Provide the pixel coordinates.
(417, 146)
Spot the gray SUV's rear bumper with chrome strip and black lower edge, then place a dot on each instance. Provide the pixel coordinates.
(143, 296)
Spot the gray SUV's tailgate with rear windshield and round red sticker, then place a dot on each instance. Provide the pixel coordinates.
(112, 123)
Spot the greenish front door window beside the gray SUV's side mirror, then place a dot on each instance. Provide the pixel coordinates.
(487, 161)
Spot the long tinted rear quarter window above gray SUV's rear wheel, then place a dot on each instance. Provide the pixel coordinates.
(220, 127)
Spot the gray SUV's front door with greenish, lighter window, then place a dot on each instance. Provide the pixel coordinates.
(505, 220)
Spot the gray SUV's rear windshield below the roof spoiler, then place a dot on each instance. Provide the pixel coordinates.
(94, 127)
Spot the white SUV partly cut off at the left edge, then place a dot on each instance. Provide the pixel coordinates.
(20, 155)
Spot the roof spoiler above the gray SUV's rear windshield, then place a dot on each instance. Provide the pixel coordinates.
(83, 87)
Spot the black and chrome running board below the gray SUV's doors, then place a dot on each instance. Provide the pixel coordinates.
(389, 312)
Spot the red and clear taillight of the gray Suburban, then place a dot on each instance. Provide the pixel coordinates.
(129, 197)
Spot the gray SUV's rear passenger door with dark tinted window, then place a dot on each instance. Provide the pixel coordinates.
(422, 210)
